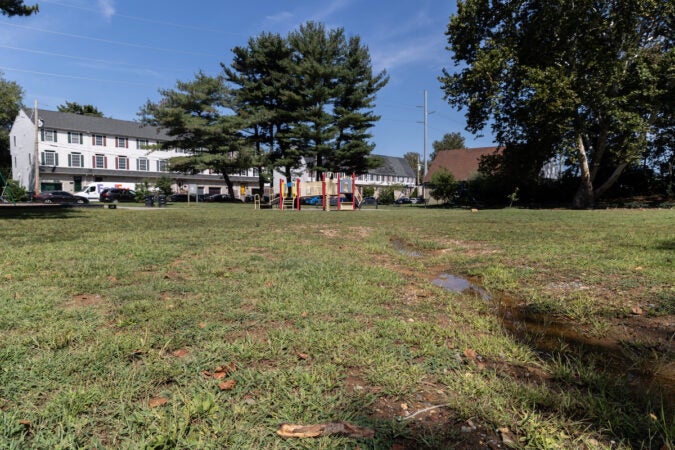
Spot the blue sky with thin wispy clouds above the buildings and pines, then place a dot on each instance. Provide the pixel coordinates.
(116, 54)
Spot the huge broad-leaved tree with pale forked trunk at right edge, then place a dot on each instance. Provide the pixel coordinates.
(585, 78)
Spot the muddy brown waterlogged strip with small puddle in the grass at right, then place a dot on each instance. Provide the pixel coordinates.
(635, 347)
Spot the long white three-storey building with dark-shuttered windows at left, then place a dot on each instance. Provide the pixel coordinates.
(74, 150)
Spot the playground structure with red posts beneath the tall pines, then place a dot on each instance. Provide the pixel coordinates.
(343, 190)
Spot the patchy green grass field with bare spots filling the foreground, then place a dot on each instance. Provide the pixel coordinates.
(209, 326)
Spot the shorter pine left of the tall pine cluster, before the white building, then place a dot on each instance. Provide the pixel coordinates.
(198, 114)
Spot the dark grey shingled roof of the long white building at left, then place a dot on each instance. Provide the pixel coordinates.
(98, 125)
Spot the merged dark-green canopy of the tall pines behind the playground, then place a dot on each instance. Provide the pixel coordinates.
(309, 94)
